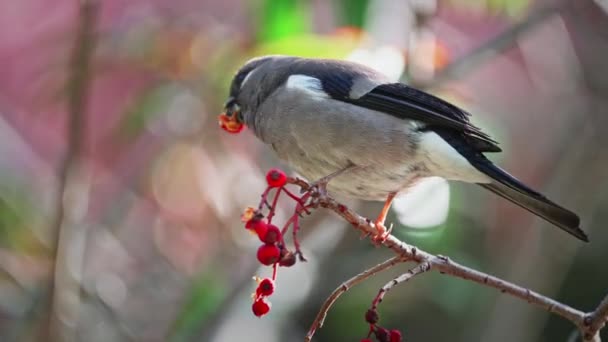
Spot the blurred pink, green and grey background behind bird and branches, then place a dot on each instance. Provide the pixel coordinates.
(120, 197)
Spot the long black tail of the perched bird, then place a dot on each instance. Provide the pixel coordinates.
(509, 187)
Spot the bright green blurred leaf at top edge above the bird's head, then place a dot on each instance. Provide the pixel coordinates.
(283, 18)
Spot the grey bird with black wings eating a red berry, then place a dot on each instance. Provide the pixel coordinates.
(371, 138)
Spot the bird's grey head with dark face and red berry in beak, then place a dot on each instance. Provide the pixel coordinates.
(245, 91)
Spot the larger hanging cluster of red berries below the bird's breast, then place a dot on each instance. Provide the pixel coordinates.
(273, 251)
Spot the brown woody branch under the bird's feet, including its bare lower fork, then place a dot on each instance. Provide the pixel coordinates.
(588, 323)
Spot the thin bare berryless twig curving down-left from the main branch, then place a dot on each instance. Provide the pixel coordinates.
(318, 322)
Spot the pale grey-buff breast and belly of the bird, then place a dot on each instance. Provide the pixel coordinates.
(317, 136)
